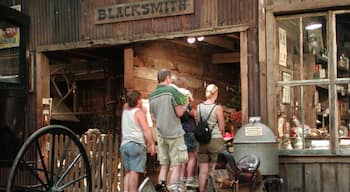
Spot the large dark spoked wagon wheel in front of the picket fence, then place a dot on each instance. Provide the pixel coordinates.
(52, 159)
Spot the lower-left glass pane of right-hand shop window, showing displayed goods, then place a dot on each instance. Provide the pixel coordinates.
(304, 122)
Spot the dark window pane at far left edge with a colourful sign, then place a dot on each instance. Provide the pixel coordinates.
(9, 52)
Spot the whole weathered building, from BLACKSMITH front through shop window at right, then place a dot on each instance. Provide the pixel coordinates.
(87, 54)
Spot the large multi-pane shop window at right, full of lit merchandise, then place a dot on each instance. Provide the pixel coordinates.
(309, 115)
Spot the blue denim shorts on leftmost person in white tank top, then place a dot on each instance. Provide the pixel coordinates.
(134, 157)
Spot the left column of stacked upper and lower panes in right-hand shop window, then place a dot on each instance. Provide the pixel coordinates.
(303, 115)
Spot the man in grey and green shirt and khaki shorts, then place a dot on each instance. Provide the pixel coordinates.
(166, 108)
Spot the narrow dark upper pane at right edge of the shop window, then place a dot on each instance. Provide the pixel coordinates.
(343, 44)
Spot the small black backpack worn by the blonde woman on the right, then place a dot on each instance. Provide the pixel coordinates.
(202, 132)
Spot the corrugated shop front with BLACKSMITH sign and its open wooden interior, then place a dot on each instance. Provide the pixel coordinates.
(86, 54)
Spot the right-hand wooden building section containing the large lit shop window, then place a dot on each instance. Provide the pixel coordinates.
(309, 88)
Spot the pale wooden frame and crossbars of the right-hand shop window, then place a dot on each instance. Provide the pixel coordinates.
(331, 81)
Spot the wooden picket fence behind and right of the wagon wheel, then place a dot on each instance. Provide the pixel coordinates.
(102, 150)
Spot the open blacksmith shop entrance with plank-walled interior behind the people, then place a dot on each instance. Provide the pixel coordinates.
(88, 86)
